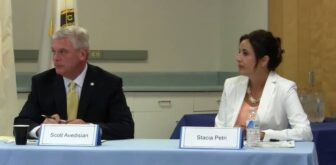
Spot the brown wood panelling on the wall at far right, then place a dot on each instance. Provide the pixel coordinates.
(308, 33)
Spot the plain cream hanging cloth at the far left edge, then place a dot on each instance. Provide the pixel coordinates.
(8, 95)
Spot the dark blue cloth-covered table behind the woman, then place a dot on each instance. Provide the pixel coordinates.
(324, 134)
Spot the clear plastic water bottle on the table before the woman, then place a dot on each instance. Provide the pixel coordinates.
(252, 128)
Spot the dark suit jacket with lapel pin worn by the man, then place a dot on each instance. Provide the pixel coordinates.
(102, 102)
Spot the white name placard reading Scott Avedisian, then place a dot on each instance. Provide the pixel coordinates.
(69, 135)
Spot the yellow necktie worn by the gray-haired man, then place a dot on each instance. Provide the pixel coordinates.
(72, 101)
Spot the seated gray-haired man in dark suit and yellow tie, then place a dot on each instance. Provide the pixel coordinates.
(100, 96)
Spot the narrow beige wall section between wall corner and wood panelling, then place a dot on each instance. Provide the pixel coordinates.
(239, 17)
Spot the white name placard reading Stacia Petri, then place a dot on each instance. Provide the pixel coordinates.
(211, 137)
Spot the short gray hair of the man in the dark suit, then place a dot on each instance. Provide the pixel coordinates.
(78, 36)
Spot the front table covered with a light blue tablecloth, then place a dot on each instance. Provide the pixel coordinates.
(152, 152)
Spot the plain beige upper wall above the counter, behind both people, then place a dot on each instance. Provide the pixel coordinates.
(180, 35)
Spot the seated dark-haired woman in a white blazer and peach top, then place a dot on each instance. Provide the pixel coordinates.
(279, 111)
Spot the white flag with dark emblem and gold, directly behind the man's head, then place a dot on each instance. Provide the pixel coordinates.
(58, 14)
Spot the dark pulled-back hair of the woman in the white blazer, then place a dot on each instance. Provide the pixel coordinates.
(264, 43)
